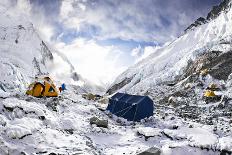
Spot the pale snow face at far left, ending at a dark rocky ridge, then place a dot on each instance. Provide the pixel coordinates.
(22, 52)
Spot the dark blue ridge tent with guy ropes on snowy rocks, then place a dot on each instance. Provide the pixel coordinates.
(130, 107)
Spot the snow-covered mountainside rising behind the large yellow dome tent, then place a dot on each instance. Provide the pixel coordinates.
(24, 55)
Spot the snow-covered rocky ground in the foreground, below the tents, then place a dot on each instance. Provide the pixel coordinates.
(61, 126)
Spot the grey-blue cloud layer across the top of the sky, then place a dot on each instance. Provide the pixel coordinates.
(159, 20)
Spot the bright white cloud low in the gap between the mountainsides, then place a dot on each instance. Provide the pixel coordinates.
(99, 64)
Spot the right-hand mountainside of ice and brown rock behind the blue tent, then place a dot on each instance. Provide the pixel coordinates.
(175, 69)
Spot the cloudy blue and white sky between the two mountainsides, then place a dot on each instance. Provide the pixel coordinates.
(103, 37)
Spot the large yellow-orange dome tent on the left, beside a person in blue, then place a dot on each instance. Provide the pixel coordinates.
(42, 87)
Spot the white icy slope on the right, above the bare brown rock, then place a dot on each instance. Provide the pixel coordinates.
(171, 61)
